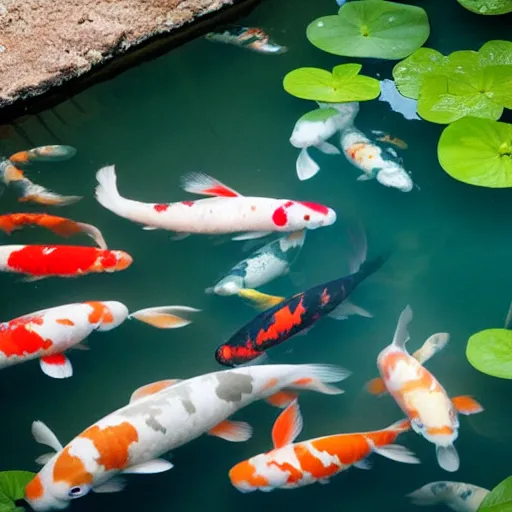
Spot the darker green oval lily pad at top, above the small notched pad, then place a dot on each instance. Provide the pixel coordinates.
(373, 28)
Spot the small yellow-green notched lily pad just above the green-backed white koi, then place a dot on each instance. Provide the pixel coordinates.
(344, 84)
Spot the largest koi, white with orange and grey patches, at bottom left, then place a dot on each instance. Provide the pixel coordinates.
(161, 417)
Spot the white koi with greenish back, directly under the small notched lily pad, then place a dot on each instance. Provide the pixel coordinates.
(315, 128)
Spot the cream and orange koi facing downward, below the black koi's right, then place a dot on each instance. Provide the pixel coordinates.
(422, 398)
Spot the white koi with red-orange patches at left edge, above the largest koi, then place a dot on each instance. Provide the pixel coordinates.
(47, 334)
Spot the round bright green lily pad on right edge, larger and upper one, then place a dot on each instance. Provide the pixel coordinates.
(478, 152)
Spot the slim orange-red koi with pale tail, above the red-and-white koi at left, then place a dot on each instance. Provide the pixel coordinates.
(59, 225)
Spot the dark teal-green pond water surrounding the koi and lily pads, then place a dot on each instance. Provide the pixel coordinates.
(222, 110)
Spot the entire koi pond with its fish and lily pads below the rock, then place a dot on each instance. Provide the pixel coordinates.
(438, 218)
